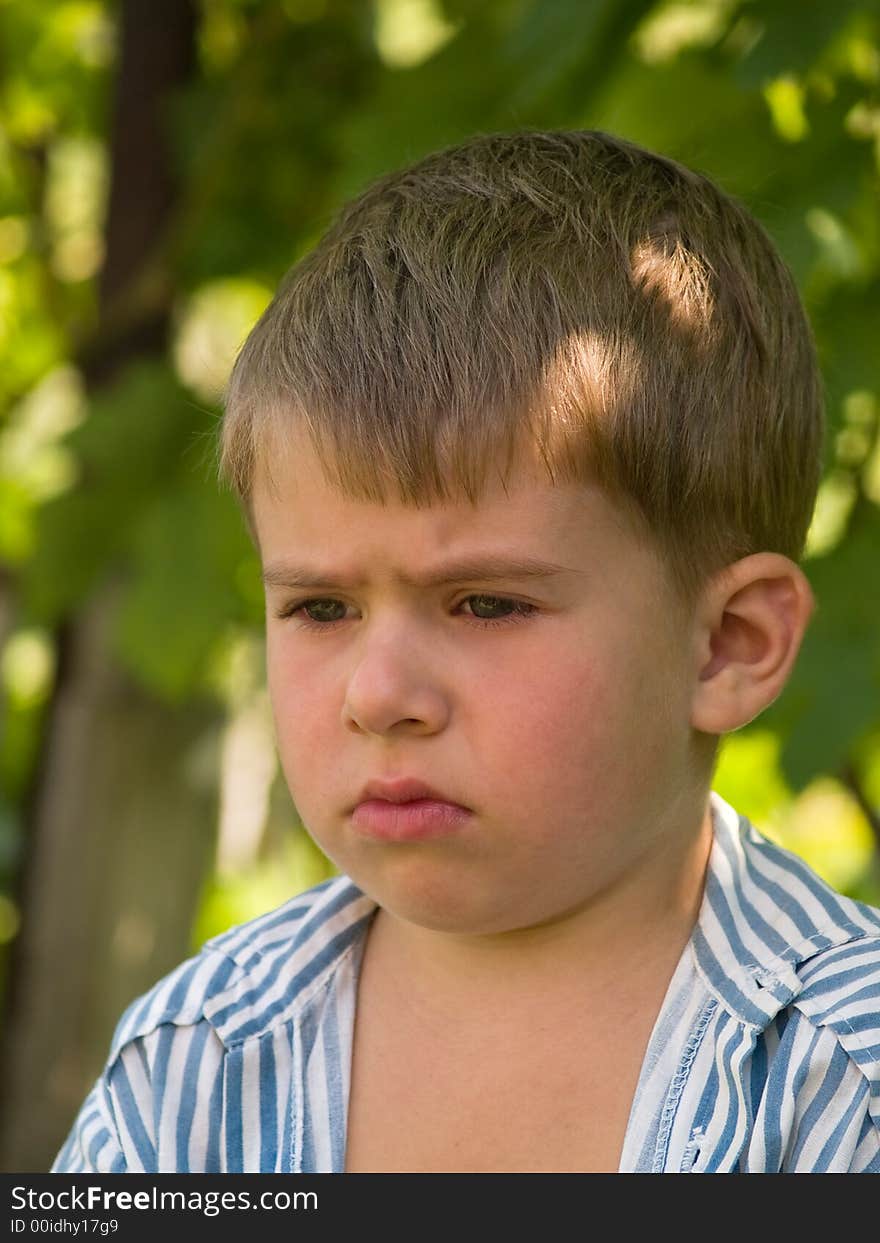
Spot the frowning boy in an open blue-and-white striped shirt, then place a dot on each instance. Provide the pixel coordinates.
(529, 447)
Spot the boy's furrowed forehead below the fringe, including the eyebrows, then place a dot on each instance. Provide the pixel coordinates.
(560, 543)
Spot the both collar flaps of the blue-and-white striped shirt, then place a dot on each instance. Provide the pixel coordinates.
(764, 913)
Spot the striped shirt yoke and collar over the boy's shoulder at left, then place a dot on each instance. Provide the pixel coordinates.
(255, 975)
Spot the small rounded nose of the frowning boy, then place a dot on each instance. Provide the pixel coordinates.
(392, 689)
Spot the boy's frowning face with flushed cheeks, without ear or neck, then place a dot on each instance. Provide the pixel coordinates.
(555, 709)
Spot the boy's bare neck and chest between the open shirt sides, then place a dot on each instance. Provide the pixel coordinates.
(477, 1067)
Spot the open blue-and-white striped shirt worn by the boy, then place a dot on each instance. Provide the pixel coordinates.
(765, 1056)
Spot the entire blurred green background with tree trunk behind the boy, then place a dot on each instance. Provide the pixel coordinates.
(158, 175)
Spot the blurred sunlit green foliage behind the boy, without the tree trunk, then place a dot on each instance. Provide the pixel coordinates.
(294, 106)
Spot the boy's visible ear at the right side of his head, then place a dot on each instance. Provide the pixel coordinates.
(751, 620)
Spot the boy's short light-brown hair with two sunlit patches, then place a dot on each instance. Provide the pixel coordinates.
(610, 305)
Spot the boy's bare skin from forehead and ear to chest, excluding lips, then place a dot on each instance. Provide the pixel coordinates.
(518, 965)
